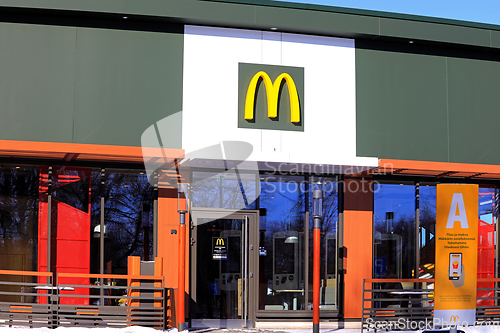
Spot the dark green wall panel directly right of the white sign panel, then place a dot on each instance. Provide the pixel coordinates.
(401, 105)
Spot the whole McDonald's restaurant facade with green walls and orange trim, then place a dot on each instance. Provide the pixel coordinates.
(107, 107)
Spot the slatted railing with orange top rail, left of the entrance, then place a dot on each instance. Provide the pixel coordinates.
(34, 299)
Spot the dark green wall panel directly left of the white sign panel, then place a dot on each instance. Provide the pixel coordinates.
(125, 82)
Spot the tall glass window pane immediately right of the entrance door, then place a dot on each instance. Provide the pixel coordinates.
(281, 233)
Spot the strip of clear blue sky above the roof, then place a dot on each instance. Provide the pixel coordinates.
(483, 11)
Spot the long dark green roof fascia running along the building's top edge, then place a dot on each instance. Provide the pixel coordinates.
(286, 16)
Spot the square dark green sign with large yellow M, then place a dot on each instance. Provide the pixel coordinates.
(271, 97)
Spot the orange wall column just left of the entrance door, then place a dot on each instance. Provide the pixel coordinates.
(168, 244)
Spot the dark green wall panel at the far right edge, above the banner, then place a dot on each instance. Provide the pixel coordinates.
(474, 103)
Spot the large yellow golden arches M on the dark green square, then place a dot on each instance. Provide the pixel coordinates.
(272, 92)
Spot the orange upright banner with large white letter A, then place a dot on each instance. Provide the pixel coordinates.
(456, 254)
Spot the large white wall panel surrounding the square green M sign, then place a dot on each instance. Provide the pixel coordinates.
(210, 94)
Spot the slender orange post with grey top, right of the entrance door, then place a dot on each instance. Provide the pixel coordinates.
(317, 195)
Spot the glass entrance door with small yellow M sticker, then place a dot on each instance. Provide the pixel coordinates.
(223, 266)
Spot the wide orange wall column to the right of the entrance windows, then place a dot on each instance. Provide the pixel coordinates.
(358, 240)
